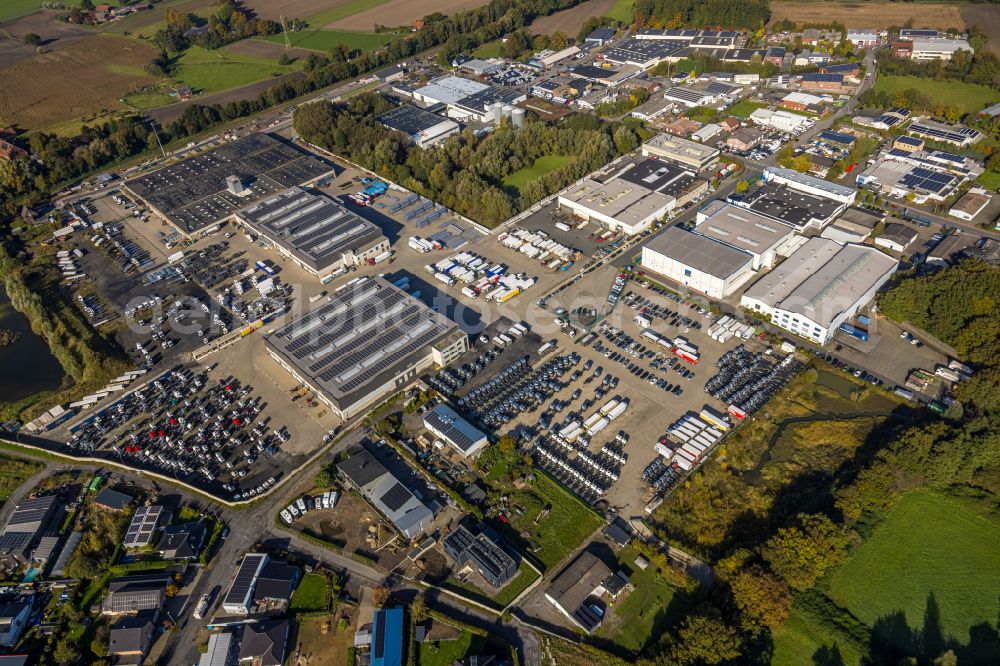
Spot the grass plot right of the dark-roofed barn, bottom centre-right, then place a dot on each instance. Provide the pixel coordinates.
(647, 612)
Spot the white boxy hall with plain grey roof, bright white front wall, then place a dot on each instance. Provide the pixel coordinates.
(698, 262)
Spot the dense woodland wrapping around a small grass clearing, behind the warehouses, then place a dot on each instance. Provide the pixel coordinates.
(466, 172)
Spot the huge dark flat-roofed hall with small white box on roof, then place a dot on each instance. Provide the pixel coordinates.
(199, 192)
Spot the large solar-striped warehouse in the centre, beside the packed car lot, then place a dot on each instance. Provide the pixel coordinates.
(371, 339)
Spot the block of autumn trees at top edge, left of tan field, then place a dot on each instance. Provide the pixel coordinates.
(751, 14)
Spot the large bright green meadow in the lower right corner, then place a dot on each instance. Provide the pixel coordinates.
(927, 544)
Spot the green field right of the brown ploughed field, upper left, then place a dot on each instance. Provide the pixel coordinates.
(214, 71)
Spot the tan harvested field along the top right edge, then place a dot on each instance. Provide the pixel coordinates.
(872, 14)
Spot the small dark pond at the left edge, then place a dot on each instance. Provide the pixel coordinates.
(27, 366)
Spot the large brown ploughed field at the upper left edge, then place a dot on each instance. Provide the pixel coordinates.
(73, 82)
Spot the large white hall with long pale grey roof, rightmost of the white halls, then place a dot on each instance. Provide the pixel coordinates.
(819, 287)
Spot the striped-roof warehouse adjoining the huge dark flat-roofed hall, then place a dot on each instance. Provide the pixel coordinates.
(315, 232)
